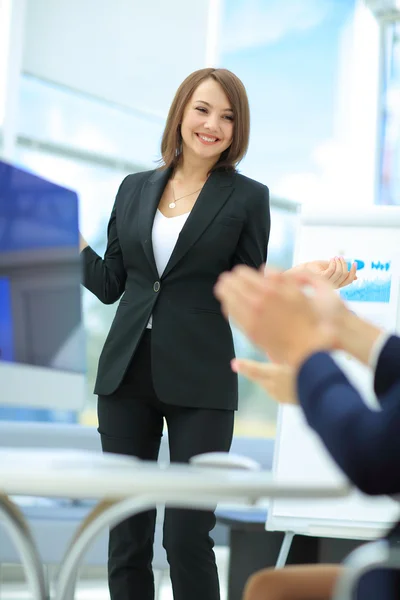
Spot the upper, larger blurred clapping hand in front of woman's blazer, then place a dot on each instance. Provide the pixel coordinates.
(275, 313)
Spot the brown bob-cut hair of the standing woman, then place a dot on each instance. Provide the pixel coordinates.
(171, 143)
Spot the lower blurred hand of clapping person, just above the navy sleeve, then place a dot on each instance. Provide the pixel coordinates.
(277, 380)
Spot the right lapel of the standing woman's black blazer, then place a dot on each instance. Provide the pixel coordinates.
(213, 196)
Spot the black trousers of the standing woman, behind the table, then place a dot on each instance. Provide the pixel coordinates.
(131, 422)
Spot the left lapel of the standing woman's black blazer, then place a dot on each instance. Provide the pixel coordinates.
(149, 201)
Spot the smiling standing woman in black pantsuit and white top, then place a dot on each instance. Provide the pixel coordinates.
(167, 356)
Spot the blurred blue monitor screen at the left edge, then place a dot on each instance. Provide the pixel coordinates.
(40, 272)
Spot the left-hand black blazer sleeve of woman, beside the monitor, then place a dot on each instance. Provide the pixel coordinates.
(106, 277)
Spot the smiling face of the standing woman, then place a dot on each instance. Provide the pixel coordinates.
(207, 124)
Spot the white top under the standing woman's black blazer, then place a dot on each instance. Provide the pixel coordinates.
(165, 234)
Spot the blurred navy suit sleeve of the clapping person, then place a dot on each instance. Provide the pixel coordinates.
(364, 443)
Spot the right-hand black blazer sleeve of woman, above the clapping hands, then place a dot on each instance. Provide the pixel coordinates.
(253, 243)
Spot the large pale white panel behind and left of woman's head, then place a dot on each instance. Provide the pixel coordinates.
(131, 52)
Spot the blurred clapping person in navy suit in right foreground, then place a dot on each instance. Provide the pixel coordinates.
(299, 331)
